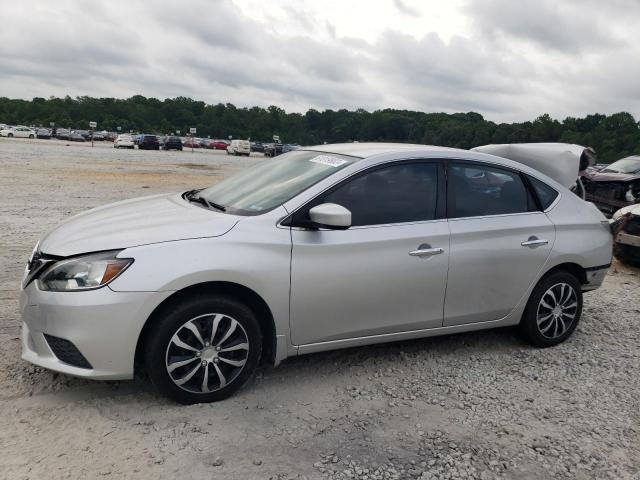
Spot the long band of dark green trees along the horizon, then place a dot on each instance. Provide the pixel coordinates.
(613, 136)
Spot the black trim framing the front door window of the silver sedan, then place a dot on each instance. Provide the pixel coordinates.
(441, 198)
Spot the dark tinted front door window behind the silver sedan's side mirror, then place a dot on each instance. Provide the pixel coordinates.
(405, 192)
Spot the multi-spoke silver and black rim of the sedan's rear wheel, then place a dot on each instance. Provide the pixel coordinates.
(557, 310)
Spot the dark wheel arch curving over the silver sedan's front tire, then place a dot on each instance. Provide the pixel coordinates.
(234, 290)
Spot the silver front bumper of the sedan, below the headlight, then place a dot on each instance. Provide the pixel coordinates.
(102, 324)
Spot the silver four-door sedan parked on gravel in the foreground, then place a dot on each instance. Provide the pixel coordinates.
(320, 248)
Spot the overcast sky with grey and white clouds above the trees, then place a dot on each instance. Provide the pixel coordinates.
(509, 60)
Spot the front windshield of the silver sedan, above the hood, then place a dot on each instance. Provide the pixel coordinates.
(273, 182)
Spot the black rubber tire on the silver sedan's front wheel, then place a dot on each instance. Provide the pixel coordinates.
(159, 349)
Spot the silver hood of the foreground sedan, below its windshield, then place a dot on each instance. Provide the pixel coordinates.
(139, 221)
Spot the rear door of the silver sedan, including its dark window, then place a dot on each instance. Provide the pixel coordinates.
(499, 242)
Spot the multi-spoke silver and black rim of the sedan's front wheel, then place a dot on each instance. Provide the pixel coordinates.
(207, 353)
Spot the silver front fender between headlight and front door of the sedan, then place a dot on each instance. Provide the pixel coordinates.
(252, 256)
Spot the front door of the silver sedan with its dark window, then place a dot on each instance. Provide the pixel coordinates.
(385, 274)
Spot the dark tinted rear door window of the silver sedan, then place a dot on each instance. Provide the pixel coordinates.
(477, 190)
